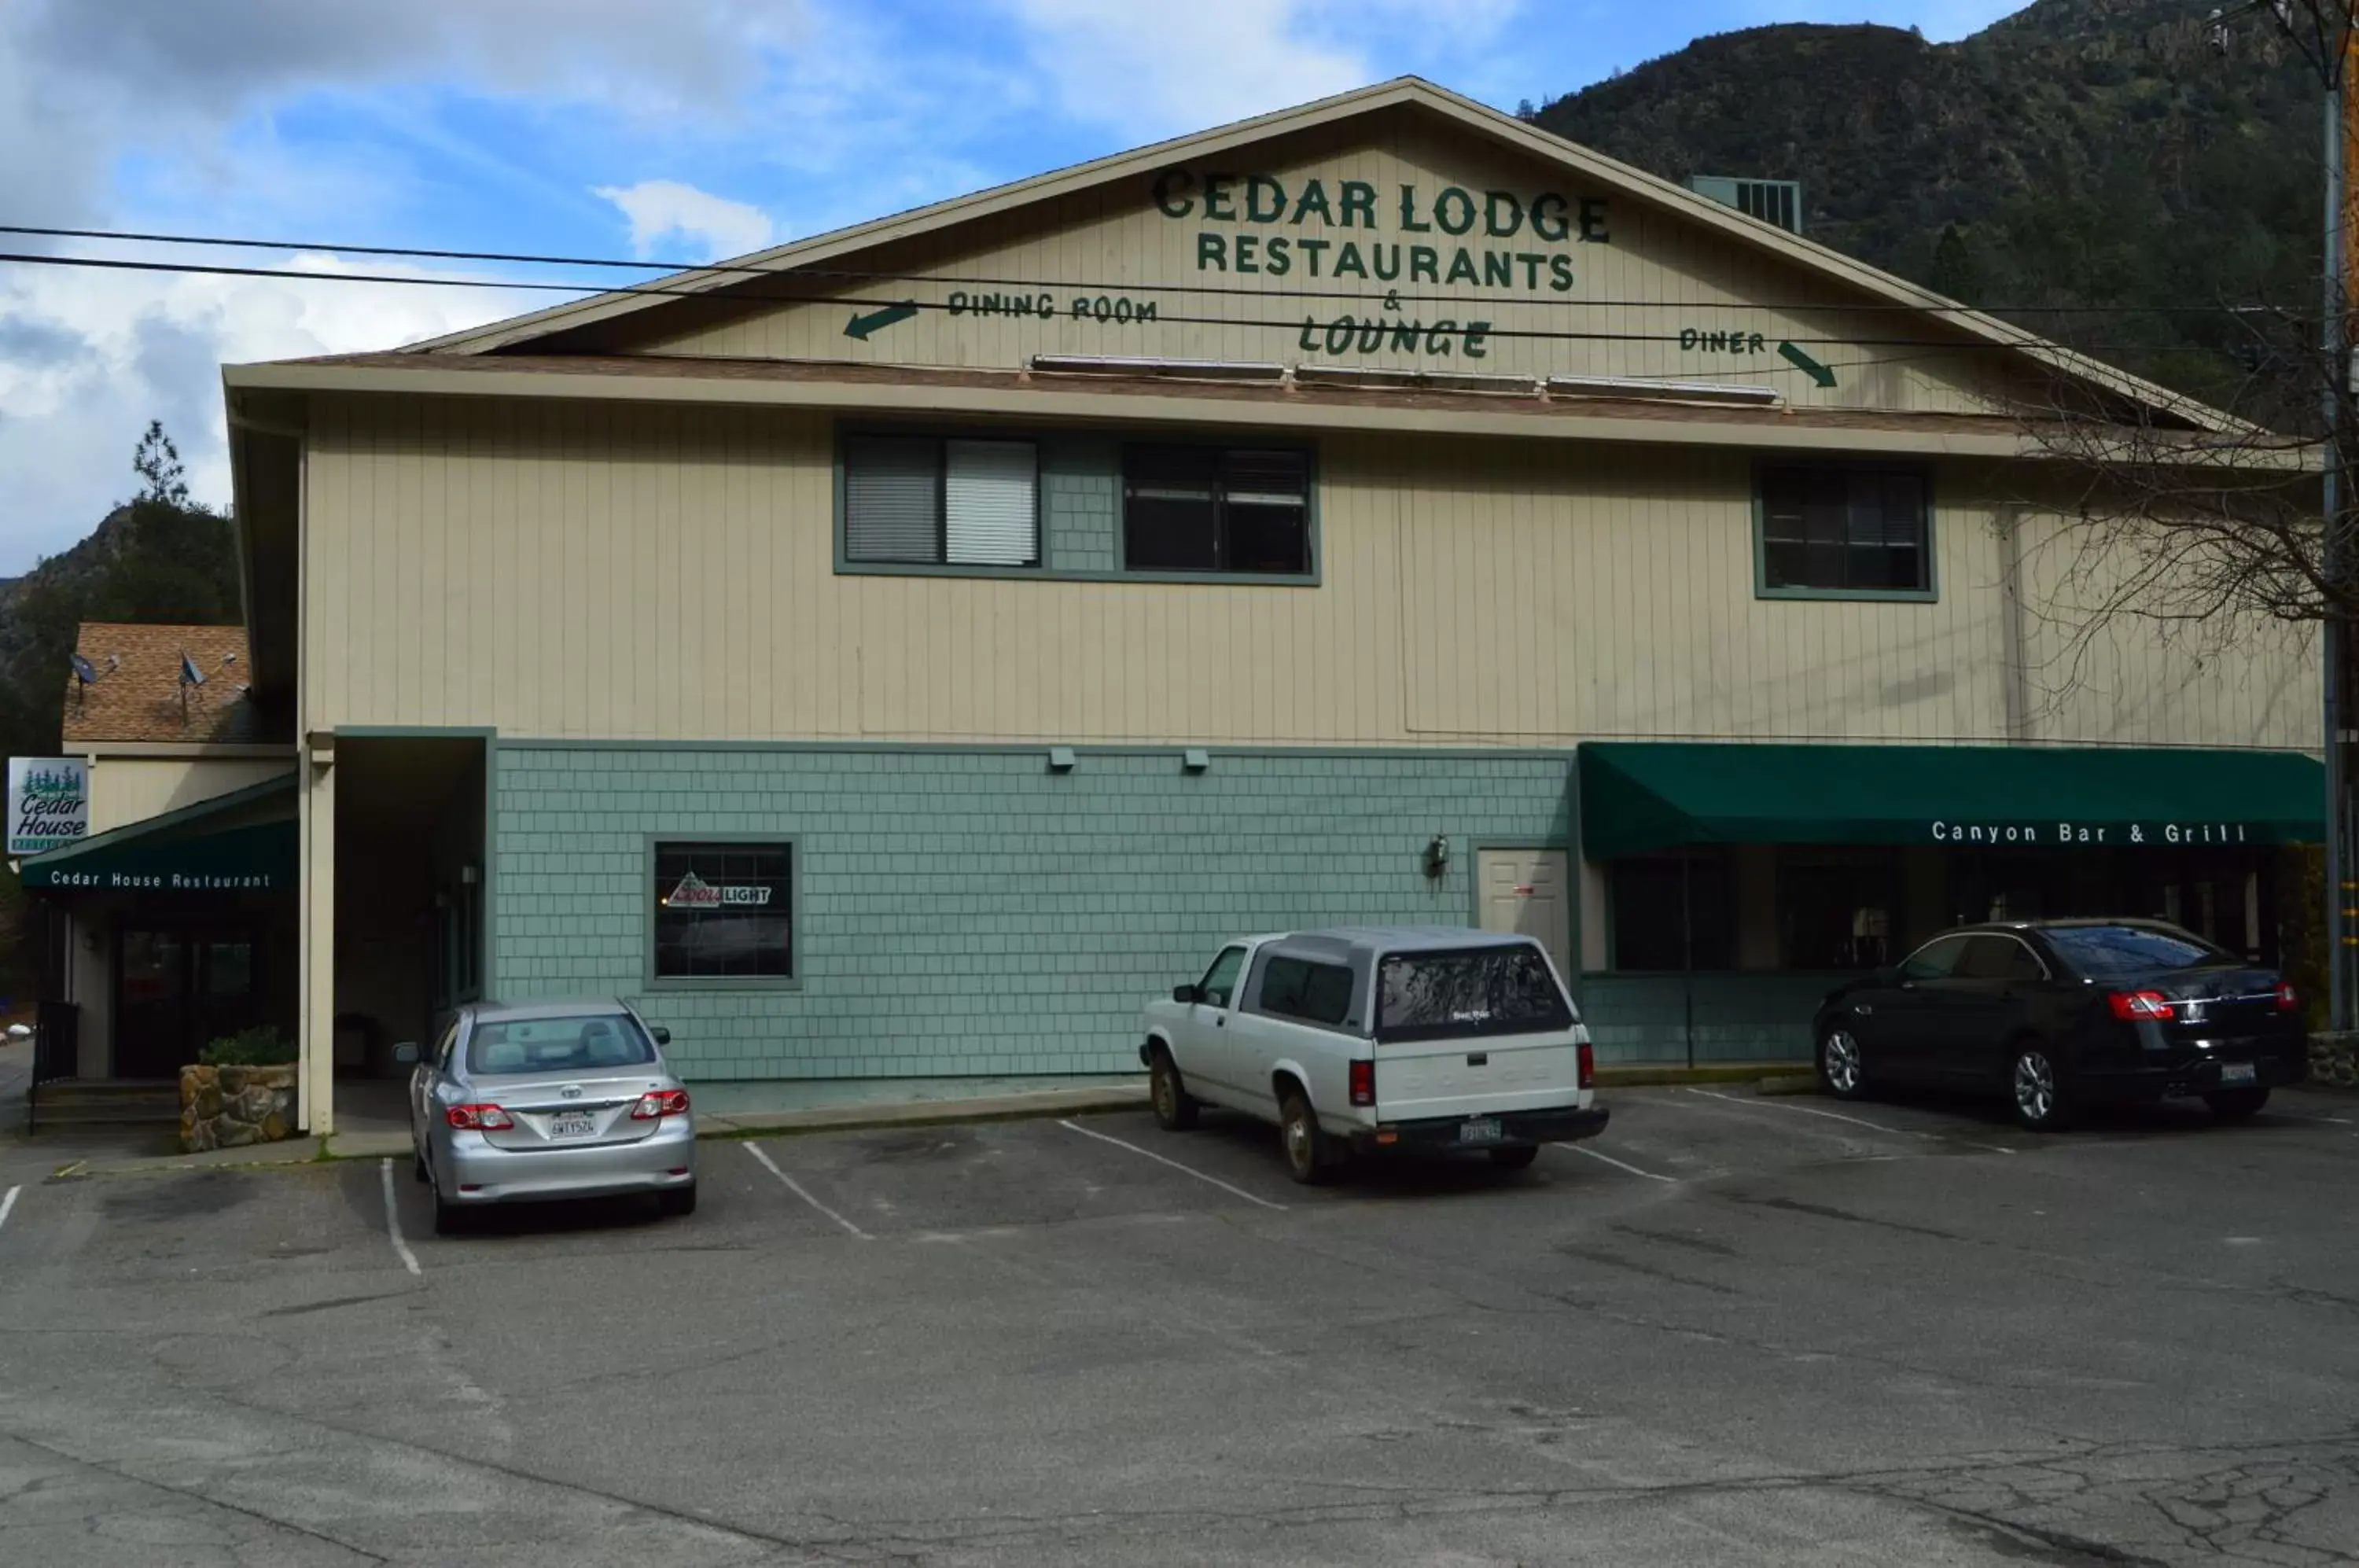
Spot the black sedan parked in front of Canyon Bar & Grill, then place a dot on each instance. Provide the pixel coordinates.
(2063, 1015)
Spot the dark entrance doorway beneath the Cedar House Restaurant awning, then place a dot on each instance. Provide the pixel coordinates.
(183, 984)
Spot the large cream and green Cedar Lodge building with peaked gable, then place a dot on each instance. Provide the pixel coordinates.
(907, 650)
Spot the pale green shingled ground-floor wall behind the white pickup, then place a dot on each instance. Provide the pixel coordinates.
(971, 911)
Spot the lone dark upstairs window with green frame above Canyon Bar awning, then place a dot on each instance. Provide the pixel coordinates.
(1846, 529)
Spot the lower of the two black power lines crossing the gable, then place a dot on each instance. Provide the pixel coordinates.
(869, 303)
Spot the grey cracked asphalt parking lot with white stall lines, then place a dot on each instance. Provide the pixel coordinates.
(1735, 1329)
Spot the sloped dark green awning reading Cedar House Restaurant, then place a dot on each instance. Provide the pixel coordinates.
(225, 845)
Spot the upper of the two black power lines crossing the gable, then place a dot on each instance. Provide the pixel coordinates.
(919, 277)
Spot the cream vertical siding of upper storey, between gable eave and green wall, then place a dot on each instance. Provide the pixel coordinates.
(612, 572)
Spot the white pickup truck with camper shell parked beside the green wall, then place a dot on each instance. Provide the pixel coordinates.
(1379, 1041)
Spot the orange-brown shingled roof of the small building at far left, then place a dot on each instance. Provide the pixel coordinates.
(138, 692)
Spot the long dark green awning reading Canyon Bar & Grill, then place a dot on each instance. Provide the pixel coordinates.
(1643, 798)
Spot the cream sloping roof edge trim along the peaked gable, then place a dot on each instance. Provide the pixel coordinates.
(1414, 93)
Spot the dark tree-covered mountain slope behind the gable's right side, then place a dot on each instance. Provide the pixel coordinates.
(2077, 154)
